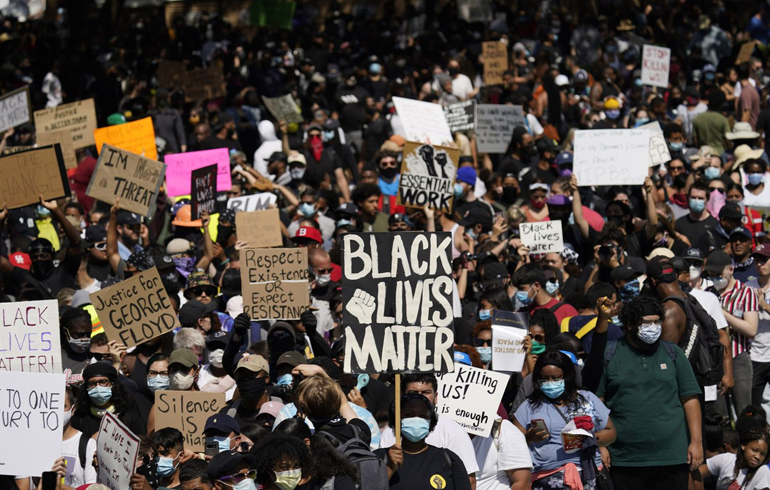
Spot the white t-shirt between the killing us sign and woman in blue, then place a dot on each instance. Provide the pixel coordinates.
(494, 461)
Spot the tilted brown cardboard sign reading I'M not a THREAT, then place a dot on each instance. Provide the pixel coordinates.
(133, 178)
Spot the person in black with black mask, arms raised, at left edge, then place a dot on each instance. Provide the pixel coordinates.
(47, 278)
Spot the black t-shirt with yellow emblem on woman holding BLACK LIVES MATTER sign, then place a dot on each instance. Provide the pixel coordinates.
(433, 468)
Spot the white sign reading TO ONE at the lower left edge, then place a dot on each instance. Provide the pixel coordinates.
(32, 408)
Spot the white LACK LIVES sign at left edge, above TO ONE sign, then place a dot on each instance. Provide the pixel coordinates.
(30, 339)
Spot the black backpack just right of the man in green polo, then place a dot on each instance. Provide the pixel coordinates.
(700, 342)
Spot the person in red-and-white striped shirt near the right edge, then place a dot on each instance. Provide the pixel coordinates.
(741, 309)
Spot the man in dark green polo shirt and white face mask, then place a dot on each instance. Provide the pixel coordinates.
(657, 414)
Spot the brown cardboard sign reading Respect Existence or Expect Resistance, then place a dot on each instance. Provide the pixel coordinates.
(274, 282)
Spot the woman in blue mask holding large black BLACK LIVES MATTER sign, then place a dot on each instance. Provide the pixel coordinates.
(415, 464)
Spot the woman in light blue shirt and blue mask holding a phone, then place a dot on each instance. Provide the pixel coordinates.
(556, 408)
